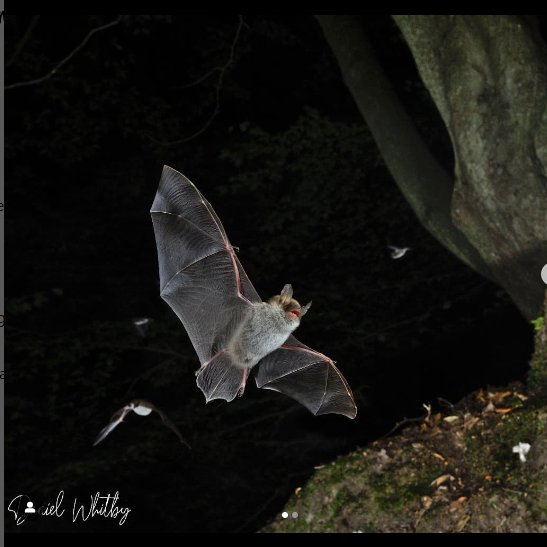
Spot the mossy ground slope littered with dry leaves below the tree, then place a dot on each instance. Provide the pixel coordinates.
(454, 471)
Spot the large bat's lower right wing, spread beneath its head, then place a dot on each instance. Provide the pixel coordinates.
(307, 376)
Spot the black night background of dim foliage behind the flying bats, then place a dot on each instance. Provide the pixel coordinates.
(293, 173)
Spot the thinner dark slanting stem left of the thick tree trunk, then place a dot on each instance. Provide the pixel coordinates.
(424, 183)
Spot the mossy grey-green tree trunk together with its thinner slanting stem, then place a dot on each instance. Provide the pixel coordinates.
(488, 77)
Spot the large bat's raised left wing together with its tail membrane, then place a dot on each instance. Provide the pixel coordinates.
(200, 277)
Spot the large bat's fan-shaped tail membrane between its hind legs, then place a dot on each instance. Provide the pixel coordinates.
(221, 378)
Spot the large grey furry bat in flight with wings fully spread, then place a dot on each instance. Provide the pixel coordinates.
(230, 327)
